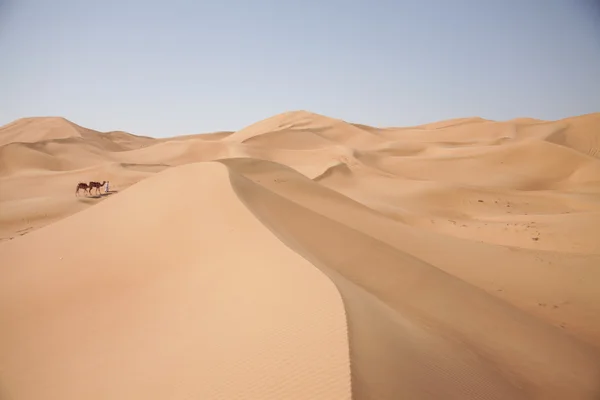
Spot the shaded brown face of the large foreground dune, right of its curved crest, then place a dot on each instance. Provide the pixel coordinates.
(416, 331)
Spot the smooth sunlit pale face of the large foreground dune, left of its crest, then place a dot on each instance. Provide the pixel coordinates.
(153, 303)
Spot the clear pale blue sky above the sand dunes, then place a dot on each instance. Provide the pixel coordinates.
(163, 68)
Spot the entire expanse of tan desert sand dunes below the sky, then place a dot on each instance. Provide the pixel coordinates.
(302, 257)
